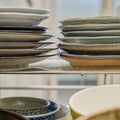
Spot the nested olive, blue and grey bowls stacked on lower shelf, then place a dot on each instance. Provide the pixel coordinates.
(35, 108)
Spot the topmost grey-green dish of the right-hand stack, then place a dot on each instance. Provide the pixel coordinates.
(94, 20)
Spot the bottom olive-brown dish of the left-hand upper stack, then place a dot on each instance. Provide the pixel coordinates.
(17, 63)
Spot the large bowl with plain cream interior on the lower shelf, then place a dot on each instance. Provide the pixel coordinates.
(94, 99)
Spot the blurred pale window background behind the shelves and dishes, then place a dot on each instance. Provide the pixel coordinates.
(60, 10)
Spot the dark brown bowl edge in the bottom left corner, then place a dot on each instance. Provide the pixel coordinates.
(6, 115)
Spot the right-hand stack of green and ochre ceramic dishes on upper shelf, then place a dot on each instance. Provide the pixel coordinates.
(91, 43)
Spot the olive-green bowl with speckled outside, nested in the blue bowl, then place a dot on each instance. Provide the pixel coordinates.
(25, 105)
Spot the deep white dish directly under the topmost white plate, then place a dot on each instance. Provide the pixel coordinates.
(21, 19)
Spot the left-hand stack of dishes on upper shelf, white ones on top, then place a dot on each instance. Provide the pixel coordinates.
(22, 38)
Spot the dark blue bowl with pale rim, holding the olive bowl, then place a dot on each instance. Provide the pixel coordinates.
(54, 108)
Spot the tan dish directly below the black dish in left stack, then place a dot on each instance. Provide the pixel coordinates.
(22, 37)
